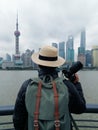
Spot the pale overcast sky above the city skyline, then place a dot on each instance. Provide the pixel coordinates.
(46, 21)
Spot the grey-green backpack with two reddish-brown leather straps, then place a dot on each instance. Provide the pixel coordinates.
(47, 105)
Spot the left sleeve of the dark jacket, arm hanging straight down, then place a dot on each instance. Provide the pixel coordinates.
(20, 113)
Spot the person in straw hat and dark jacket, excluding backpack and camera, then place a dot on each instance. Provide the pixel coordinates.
(48, 61)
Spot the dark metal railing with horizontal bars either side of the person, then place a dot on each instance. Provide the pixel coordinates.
(87, 120)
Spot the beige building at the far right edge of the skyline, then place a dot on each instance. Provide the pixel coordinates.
(95, 56)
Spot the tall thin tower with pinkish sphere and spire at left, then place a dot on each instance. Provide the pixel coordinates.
(17, 34)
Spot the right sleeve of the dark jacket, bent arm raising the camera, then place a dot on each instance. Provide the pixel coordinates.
(77, 103)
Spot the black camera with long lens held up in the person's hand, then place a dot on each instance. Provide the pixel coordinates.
(70, 73)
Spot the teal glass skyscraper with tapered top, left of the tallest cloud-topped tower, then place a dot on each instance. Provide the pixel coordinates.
(70, 50)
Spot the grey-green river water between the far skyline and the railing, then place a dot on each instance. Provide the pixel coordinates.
(11, 81)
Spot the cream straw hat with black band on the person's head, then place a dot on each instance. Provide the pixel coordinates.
(48, 56)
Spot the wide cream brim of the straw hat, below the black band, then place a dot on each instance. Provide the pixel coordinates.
(35, 58)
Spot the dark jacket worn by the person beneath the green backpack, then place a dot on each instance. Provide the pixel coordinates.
(77, 102)
